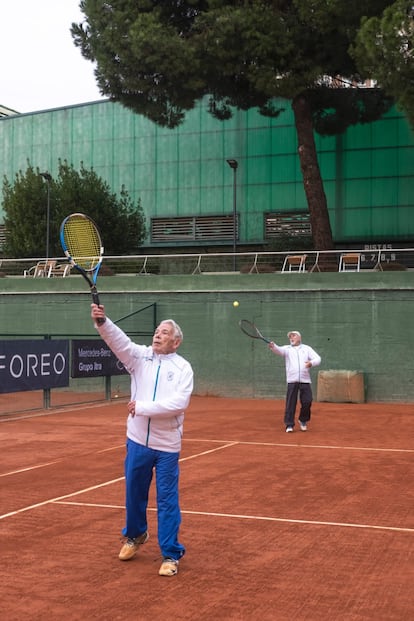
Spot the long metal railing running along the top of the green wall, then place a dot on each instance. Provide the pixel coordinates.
(244, 262)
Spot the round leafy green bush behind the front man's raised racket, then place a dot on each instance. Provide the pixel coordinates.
(121, 223)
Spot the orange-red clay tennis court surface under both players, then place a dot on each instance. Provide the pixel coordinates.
(292, 527)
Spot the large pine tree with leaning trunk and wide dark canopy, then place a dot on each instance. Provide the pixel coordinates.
(159, 58)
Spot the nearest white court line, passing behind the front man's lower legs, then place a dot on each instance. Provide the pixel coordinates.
(256, 518)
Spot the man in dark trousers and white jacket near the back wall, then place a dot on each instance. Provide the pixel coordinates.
(299, 358)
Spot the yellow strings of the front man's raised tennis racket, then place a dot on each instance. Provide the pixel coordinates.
(83, 242)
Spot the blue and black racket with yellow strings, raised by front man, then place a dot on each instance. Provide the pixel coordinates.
(83, 248)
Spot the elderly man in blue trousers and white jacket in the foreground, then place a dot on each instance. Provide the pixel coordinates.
(161, 387)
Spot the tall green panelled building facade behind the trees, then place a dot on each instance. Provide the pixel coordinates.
(368, 172)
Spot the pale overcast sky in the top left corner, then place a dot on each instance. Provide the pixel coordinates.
(40, 66)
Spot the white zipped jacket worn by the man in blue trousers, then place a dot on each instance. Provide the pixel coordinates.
(161, 386)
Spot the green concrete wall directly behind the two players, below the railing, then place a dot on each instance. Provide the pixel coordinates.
(356, 321)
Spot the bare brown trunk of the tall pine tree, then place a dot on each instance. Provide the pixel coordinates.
(312, 180)
